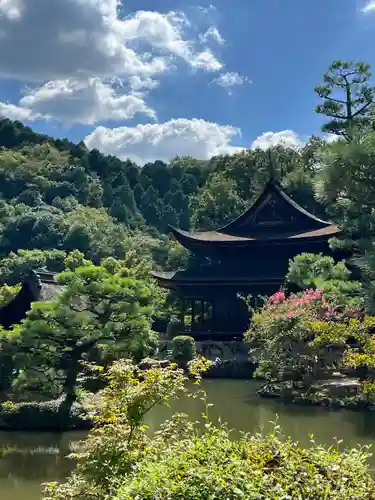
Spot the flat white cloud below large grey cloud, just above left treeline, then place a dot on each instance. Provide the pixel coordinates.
(85, 102)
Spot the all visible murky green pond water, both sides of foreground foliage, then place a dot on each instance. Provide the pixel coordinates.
(39, 457)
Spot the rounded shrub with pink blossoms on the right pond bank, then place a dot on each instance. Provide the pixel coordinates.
(284, 332)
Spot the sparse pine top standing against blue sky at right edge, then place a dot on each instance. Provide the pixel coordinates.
(347, 95)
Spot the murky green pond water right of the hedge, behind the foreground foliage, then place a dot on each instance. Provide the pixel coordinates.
(236, 403)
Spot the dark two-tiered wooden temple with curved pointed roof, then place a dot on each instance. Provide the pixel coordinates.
(247, 257)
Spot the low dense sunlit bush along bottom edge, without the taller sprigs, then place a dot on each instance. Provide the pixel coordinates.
(213, 466)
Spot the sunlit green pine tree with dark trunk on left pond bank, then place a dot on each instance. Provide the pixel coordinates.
(99, 306)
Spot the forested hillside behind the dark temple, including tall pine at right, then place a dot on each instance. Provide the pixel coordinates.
(56, 195)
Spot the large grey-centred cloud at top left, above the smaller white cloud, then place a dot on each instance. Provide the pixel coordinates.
(45, 40)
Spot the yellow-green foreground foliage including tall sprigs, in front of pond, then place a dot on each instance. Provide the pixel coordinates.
(198, 461)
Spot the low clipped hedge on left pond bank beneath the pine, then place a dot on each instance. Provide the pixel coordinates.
(45, 415)
